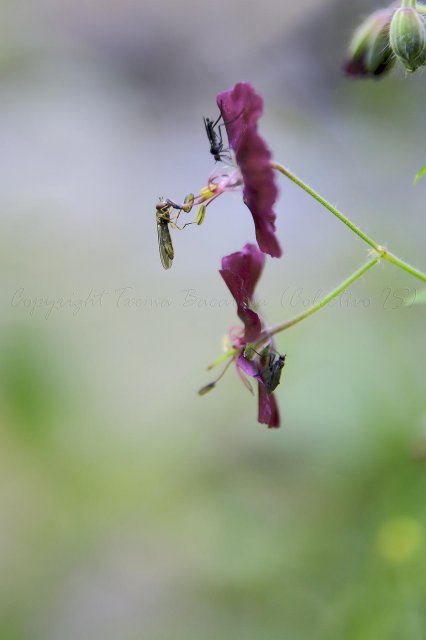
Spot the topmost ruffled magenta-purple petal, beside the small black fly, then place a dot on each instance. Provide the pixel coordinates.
(240, 107)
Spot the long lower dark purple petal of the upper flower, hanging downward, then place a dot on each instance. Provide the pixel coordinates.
(260, 191)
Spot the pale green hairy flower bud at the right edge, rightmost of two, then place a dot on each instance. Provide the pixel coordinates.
(407, 37)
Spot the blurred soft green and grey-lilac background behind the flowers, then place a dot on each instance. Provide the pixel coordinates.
(130, 508)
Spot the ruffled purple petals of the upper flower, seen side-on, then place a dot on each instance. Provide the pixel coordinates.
(241, 108)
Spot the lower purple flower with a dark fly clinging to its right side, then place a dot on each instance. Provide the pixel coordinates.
(241, 272)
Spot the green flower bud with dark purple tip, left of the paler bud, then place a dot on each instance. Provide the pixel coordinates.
(369, 51)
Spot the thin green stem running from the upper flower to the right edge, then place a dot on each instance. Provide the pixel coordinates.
(383, 253)
